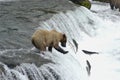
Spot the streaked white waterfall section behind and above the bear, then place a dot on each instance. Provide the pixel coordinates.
(77, 24)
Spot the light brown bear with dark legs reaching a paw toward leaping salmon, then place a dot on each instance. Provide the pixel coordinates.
(44, 38)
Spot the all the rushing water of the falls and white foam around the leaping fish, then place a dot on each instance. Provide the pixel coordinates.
(92, 31)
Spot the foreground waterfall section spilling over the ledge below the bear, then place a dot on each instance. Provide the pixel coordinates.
(63, 67)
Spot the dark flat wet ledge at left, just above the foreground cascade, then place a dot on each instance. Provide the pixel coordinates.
(15, 58)
